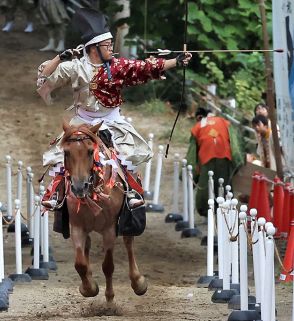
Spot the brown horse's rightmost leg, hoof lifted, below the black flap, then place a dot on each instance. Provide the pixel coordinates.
(138, 282)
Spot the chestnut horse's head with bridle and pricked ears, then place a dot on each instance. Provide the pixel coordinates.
(79, 143)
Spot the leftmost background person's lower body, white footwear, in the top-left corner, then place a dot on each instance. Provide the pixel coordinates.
(9, 7)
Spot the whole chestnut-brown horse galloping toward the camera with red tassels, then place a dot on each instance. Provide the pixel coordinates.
(99, 213)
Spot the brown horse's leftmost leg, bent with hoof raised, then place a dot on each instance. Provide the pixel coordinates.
(82, 245)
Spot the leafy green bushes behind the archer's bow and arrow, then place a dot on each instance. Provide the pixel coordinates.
(222, 24)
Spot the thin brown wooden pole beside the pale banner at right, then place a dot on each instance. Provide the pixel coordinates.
(270, 100)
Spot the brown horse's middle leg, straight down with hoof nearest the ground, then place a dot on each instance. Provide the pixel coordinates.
(107, 265)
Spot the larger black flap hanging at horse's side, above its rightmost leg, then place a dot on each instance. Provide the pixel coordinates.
(132, 222)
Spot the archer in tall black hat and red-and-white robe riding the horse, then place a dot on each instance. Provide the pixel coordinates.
(97, 79)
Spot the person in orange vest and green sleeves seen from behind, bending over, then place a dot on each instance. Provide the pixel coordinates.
(213, 146)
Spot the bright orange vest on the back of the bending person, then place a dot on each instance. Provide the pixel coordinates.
(213, 139)
